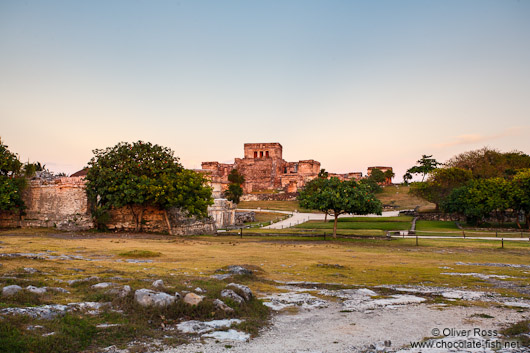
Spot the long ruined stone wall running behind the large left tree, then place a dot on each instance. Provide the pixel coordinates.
(62, 203)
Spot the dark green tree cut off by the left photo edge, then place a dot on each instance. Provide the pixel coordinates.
(12, 180)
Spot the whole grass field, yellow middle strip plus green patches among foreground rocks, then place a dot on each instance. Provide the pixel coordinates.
(188, 262)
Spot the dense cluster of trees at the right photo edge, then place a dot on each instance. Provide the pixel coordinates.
(479, 184)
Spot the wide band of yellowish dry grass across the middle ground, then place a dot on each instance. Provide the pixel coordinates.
(366, 262)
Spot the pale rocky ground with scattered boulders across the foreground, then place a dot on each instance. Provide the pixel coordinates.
(307, 316)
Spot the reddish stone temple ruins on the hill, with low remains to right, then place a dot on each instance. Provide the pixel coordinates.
(268, 174)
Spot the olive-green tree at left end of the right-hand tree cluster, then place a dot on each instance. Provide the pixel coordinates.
(440, 183)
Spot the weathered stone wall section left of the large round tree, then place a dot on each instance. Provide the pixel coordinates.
(60, 203)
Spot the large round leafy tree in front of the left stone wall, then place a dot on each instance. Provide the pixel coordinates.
(141, 174)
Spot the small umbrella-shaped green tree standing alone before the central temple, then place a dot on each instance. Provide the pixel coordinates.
(338, 197)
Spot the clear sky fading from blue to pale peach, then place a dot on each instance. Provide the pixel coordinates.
(350, 84)
